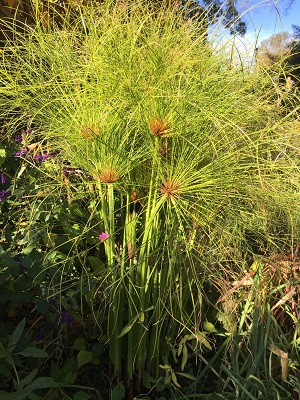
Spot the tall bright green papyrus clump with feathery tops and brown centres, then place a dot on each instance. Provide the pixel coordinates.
(188, 158)
